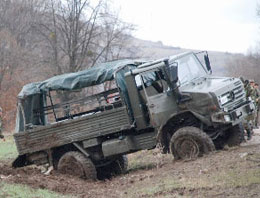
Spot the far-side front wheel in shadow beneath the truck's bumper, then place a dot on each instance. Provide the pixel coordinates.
(235, 135)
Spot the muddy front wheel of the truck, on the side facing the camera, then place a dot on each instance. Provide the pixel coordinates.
(190, 143)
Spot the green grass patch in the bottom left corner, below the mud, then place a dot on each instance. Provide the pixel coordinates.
(21, 191)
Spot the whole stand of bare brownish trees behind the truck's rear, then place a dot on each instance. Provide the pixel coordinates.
(42, 38)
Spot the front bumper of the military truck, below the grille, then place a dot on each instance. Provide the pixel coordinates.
(234, 117)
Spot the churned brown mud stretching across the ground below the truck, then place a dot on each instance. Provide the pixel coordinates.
(178, 170)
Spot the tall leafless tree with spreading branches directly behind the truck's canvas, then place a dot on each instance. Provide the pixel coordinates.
(79, 33)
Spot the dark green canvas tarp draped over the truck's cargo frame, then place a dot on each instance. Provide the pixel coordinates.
(33, 95)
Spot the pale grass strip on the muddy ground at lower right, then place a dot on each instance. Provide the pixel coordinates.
(169, 186)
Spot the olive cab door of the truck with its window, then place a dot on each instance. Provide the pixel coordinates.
(161, 102)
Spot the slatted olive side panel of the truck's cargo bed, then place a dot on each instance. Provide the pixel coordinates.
(73, 130)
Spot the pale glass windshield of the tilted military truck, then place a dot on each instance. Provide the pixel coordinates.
(189, 68)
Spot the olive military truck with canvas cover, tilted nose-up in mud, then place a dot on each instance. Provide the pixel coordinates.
(85, 123)
